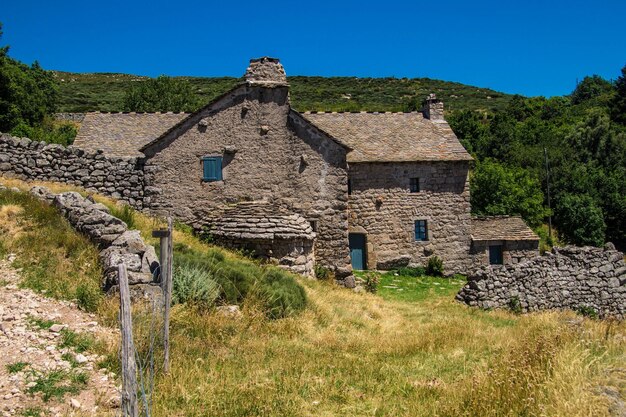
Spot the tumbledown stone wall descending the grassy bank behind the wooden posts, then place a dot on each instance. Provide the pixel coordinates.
(119, 245)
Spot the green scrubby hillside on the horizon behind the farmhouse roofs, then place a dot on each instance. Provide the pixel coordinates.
(105, 92)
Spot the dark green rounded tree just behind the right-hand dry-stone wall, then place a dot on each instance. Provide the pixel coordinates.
(580, 221)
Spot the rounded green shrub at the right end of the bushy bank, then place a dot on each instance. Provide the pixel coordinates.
(282, 296)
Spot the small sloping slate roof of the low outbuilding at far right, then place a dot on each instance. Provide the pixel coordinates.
(501, 228)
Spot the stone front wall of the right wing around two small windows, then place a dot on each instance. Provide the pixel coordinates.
(382, 207)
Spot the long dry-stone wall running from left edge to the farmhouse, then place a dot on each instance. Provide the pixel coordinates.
(121, 178)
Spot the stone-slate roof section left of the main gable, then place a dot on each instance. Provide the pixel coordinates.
(123, 134)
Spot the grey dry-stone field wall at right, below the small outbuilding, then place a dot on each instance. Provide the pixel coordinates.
(569, 277)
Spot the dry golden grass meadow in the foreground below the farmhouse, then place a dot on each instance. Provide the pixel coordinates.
(403, 353)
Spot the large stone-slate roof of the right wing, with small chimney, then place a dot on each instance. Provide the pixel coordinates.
(391, 137)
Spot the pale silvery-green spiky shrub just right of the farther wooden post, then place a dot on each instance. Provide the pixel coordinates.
(195, 285)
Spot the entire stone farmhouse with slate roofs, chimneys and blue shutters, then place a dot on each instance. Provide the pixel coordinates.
(358, 190)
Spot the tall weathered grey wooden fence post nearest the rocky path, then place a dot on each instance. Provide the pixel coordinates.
(129, 367)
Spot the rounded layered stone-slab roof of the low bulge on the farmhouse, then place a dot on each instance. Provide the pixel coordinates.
(259, 220)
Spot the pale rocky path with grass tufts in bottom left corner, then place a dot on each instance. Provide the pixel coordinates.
(45, 369)
